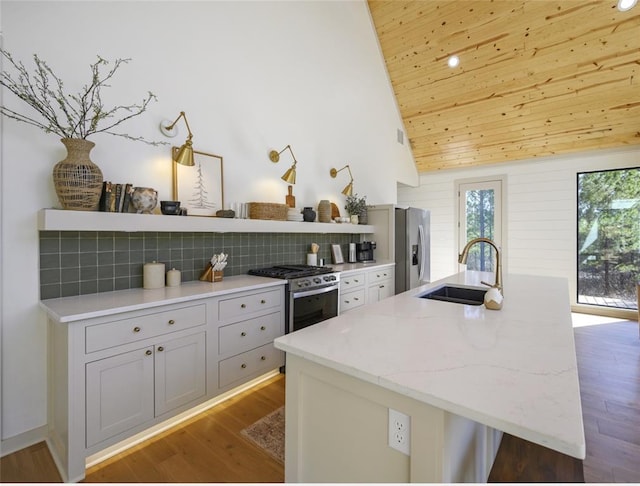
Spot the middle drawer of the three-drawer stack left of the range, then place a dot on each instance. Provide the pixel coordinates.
(244, 335)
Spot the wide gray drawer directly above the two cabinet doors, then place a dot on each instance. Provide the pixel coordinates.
(116, 333)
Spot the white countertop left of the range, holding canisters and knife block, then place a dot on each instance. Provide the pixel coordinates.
(80, 307)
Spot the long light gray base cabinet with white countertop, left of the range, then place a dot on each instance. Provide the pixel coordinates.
(122, 362)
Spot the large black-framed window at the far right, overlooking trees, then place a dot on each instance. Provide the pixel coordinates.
(609, 237)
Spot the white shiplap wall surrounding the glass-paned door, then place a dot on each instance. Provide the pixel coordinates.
(541, 211)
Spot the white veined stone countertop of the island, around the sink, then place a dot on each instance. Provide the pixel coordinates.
(514, 370)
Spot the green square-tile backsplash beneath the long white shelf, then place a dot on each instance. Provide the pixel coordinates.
(87, 262)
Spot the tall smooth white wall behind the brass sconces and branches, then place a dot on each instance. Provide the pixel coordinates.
(251, 76)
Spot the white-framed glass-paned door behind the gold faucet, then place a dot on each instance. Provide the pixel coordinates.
(480, 216)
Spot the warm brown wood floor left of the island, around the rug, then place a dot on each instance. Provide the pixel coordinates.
(205, 449)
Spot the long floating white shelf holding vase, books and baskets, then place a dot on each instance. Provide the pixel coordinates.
(68, 220)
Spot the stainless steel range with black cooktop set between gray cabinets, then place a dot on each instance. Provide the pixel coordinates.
(311, 293)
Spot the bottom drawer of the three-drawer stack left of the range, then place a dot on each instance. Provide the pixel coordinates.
(238, 367)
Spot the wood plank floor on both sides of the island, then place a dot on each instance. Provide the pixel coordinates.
(209, 447)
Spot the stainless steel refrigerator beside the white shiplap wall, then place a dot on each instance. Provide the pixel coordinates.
(412, 246)
